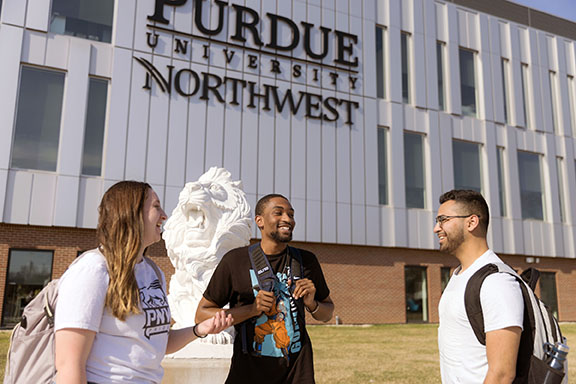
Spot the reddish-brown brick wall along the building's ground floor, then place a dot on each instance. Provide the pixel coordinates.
(366, 283)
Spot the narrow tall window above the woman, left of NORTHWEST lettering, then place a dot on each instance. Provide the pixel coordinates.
(95, 123)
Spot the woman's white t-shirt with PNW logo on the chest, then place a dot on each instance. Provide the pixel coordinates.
(127, 351)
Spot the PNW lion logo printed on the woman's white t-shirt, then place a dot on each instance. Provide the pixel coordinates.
(156, 310)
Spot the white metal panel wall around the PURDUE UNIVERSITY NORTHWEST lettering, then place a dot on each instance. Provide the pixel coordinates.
(328, 170)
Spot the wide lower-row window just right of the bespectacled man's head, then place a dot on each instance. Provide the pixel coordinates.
(531, 192)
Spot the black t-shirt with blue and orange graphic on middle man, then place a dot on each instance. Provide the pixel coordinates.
(279, 349)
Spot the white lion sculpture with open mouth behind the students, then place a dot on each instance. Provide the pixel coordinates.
(211, 218)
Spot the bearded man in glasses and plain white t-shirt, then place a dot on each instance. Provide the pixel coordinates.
(461, 227)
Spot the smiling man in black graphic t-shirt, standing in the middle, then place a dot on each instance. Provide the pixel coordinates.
(271, 345)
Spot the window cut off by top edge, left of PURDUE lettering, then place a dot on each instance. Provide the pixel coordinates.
(88, 19)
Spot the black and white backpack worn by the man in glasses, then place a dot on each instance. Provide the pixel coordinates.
(539, 327)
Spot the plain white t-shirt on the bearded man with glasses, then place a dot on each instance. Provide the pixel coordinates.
(462, 357)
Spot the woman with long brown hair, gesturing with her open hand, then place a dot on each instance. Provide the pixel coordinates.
(112, 318)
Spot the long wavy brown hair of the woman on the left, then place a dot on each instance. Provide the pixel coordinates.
(120, 230)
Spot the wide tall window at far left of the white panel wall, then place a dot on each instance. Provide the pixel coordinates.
(37, 130)
